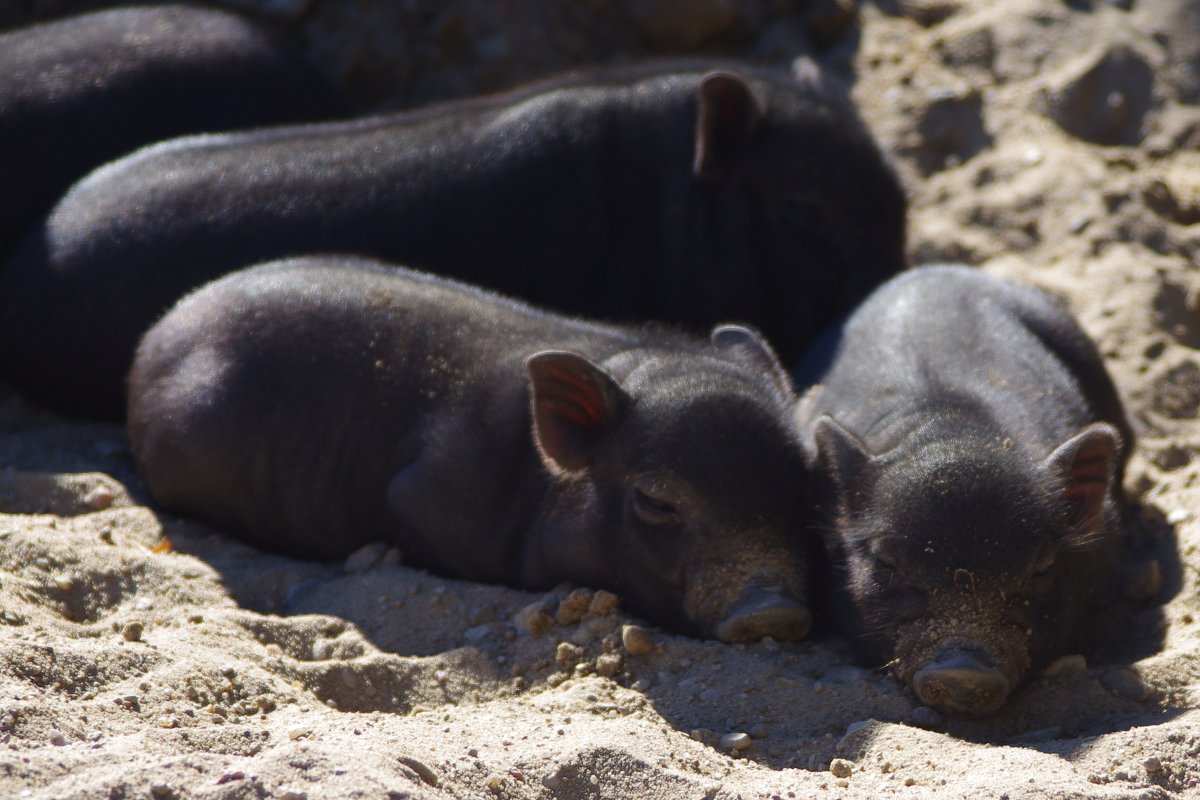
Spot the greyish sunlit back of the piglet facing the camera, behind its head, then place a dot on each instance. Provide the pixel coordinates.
(952, 338)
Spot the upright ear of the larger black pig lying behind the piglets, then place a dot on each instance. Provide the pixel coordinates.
(728, 116)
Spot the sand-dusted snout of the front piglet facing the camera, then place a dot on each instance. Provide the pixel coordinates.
(963, 669)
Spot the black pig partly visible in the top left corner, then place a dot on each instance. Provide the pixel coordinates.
(77, 93)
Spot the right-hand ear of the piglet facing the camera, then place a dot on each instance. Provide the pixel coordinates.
(1084, 468)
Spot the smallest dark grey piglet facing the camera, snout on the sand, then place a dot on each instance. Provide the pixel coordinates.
(973, 444)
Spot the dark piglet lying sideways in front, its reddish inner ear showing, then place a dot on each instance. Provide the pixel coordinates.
(315, 405)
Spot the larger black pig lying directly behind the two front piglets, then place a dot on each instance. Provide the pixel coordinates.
(681, 195)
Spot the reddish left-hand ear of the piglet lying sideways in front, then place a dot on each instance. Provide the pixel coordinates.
(575, 404)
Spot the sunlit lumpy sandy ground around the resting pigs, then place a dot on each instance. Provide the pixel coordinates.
(146, 657)
